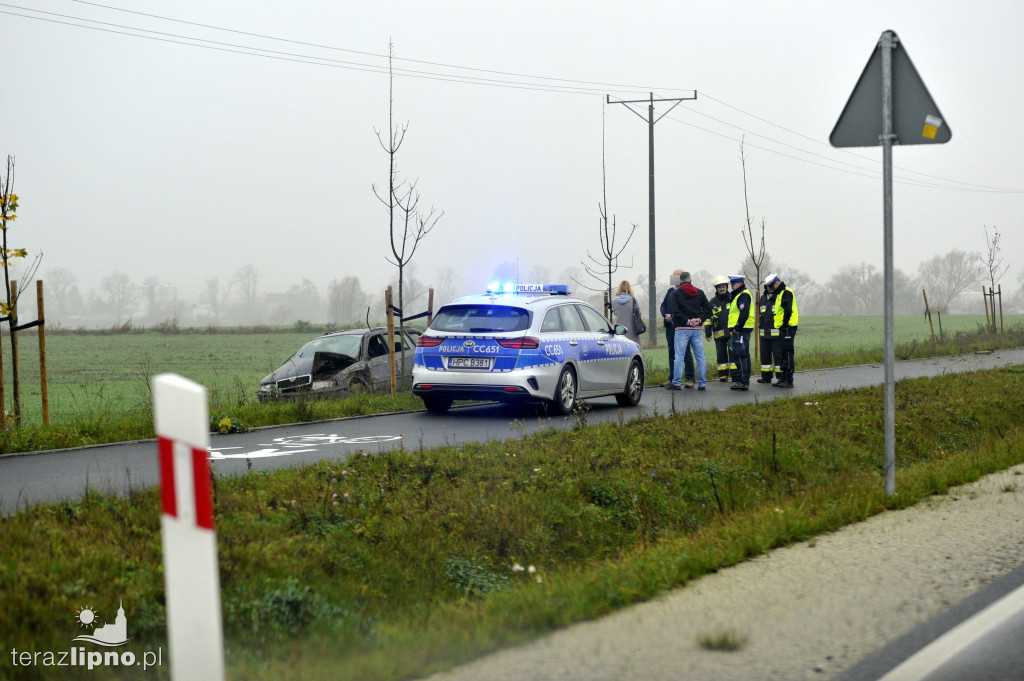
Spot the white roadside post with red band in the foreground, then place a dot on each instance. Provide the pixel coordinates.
(192, 579)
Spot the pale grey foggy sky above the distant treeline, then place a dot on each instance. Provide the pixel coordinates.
(155, 158)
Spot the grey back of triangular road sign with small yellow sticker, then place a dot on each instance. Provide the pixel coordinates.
(916, 118)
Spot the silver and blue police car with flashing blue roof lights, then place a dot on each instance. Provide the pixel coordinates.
(526, 344)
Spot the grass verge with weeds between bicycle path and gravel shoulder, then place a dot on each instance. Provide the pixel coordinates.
(395, 566)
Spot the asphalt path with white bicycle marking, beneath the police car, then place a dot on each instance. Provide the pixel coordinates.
(47, 477)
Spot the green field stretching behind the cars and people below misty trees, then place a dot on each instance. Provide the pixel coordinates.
(93, 375)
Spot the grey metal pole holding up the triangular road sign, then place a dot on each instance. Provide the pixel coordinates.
(887, 46)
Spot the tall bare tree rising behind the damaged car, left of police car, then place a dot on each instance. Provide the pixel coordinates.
(408, 226)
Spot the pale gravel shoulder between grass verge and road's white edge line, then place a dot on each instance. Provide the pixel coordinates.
(810, 611)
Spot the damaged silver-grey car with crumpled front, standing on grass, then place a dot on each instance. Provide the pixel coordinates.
(339, 364)
